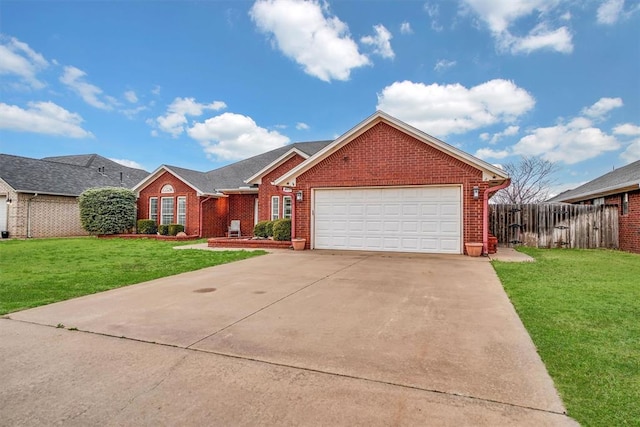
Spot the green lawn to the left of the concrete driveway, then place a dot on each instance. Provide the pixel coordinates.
(39, 272)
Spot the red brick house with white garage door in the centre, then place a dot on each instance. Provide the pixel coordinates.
(382, 186)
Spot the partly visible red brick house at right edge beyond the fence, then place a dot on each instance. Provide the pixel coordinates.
(620, 187)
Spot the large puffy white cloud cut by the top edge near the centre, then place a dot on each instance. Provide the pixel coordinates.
(308, 34)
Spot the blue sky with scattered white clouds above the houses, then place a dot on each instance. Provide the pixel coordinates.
(202, 84)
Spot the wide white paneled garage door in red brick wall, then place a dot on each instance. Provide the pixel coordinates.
(407, 219)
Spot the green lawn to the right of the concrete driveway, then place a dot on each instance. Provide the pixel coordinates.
(582, 310)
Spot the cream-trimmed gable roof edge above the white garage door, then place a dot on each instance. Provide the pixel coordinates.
(489, 172)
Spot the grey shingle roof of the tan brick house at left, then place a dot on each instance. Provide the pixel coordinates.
(66, 175)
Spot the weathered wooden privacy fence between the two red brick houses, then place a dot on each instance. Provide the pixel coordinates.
(555, 225)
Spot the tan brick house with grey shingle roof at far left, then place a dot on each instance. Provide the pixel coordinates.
(39, 197)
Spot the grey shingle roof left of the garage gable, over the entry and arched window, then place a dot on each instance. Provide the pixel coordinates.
(230, 177)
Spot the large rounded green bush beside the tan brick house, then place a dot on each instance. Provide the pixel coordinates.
(108, 210)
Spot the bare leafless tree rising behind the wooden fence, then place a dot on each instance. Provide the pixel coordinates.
(531, 179)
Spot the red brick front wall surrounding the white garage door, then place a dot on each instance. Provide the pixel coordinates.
(385, 156)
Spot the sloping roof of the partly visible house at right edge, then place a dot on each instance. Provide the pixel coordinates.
(626, 178)
